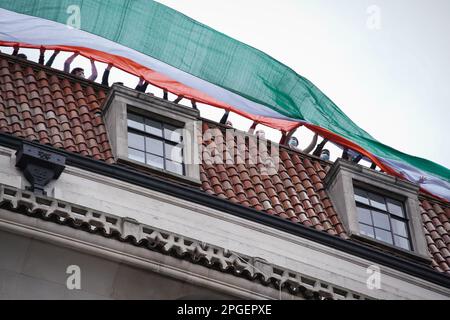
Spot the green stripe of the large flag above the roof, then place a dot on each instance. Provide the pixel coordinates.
(173, 38)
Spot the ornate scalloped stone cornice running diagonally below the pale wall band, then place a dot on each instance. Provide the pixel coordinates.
(167, 243)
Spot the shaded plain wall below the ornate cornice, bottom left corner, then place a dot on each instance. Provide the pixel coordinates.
(35, 269)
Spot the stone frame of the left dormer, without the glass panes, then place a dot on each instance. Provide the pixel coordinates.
(122, 101)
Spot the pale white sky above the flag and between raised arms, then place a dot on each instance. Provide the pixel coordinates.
(392, 81)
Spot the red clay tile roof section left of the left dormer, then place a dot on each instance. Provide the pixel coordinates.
(42, 105)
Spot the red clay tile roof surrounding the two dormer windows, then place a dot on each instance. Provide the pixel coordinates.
(51, 107)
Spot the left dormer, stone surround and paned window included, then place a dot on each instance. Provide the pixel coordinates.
(153, 134)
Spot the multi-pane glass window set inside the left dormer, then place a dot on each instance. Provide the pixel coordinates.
(155, 143)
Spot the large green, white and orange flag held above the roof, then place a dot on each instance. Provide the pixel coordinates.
(177, 53)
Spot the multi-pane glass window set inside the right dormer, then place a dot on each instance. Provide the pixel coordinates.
(382, 218)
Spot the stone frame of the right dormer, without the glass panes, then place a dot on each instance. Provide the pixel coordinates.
(341, 181)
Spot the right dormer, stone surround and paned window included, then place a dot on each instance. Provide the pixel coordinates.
(377, 208)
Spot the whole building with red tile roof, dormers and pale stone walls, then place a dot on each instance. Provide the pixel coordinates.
(109, 193)
